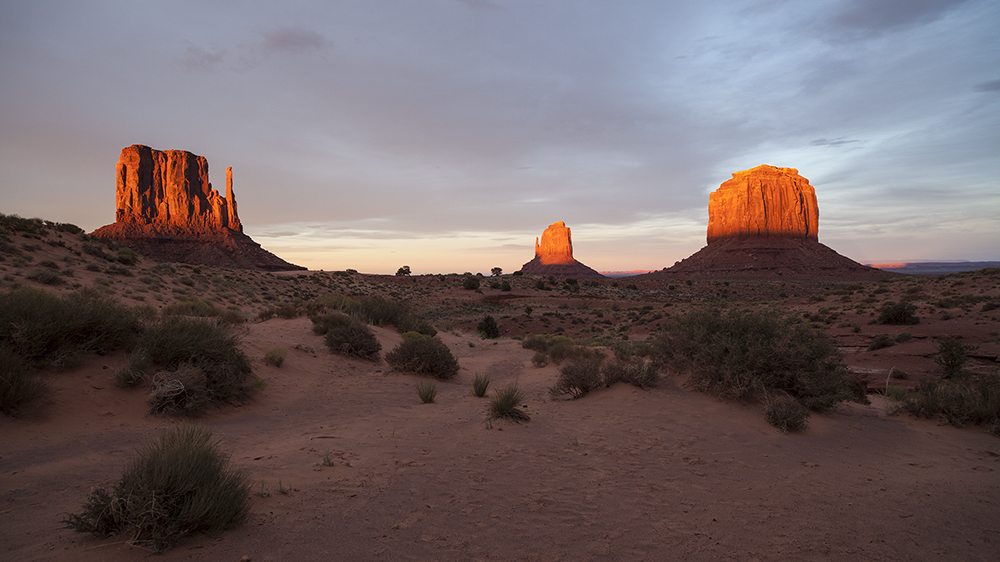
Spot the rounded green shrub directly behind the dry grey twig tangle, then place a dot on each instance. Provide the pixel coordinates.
(212, 347)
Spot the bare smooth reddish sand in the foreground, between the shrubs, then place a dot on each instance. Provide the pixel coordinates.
(622, 474)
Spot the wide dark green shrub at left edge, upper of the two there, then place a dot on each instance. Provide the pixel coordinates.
(46, 329)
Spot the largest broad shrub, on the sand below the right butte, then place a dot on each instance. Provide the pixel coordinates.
(747, 355)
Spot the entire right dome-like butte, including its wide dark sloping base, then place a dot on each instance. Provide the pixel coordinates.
(764, 223)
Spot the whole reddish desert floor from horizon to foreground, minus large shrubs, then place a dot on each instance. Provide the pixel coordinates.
(347, 463)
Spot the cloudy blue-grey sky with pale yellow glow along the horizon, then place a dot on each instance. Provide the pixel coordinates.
(447, 134)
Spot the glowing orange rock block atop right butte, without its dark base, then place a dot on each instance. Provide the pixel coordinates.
(764, 202)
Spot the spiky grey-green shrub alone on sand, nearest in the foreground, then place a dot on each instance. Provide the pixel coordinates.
(175, 486)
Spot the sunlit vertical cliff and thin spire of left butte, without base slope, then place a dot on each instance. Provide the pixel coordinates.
(171, 187)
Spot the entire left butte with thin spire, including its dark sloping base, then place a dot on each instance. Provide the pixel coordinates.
(166, 209)
